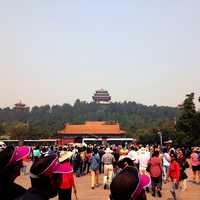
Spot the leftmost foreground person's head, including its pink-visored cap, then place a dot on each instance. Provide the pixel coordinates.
(11, 162)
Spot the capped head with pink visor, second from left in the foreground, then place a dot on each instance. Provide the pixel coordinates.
(45, 174)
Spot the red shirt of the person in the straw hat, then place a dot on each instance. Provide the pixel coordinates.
(67, 179)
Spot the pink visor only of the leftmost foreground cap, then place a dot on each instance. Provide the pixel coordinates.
(19, 153)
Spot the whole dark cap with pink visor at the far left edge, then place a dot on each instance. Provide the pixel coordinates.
(11, 155)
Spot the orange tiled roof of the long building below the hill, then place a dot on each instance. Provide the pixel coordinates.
(93, 128)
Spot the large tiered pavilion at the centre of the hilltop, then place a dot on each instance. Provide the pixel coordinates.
(101, 96)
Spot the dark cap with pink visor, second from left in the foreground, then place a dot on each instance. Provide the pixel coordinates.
(47, 166)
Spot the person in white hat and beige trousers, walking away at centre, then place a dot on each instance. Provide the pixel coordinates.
(108, 160)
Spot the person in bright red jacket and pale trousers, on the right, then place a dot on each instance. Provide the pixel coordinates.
(174, 174)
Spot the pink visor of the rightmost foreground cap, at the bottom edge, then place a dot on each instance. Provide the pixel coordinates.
(144, 181)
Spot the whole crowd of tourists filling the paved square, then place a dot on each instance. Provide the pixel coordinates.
(129, 170)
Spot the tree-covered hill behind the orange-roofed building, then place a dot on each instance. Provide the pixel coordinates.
(44, 121)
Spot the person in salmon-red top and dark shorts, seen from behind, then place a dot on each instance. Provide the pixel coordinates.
(156, 171)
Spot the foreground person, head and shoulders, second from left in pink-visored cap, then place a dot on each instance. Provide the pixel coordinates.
(45, 174)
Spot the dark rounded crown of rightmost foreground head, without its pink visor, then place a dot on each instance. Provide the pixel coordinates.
(124, 184)
